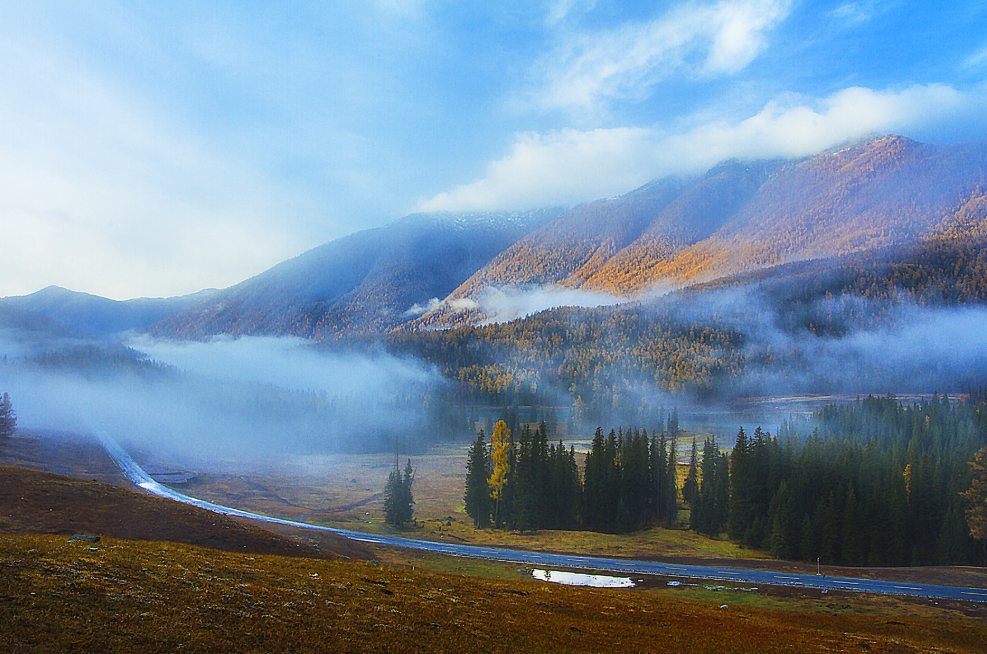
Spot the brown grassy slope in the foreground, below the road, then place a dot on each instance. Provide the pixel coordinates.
(138, 596)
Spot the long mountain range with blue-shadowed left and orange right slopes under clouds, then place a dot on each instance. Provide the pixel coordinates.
(435, 270)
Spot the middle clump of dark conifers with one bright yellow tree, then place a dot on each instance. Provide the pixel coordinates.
(526, 483)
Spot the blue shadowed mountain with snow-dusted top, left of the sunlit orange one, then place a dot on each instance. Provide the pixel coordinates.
(366, 282)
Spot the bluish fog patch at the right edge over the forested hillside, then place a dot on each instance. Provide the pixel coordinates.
(860, 346)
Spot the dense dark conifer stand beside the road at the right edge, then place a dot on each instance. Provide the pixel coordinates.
(874, 483)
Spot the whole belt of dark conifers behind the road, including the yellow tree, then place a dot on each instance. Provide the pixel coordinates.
(875, 483)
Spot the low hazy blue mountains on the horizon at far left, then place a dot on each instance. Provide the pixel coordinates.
(99, 316)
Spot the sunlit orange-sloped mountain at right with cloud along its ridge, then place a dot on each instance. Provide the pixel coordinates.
(741, 216)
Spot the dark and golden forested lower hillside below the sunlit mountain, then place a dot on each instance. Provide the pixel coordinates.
(712, 340)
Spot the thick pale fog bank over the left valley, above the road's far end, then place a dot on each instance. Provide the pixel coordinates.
(249, 400)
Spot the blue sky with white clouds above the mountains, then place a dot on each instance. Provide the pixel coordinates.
(158, 148)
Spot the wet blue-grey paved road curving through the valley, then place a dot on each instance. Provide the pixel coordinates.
(619, 566)
